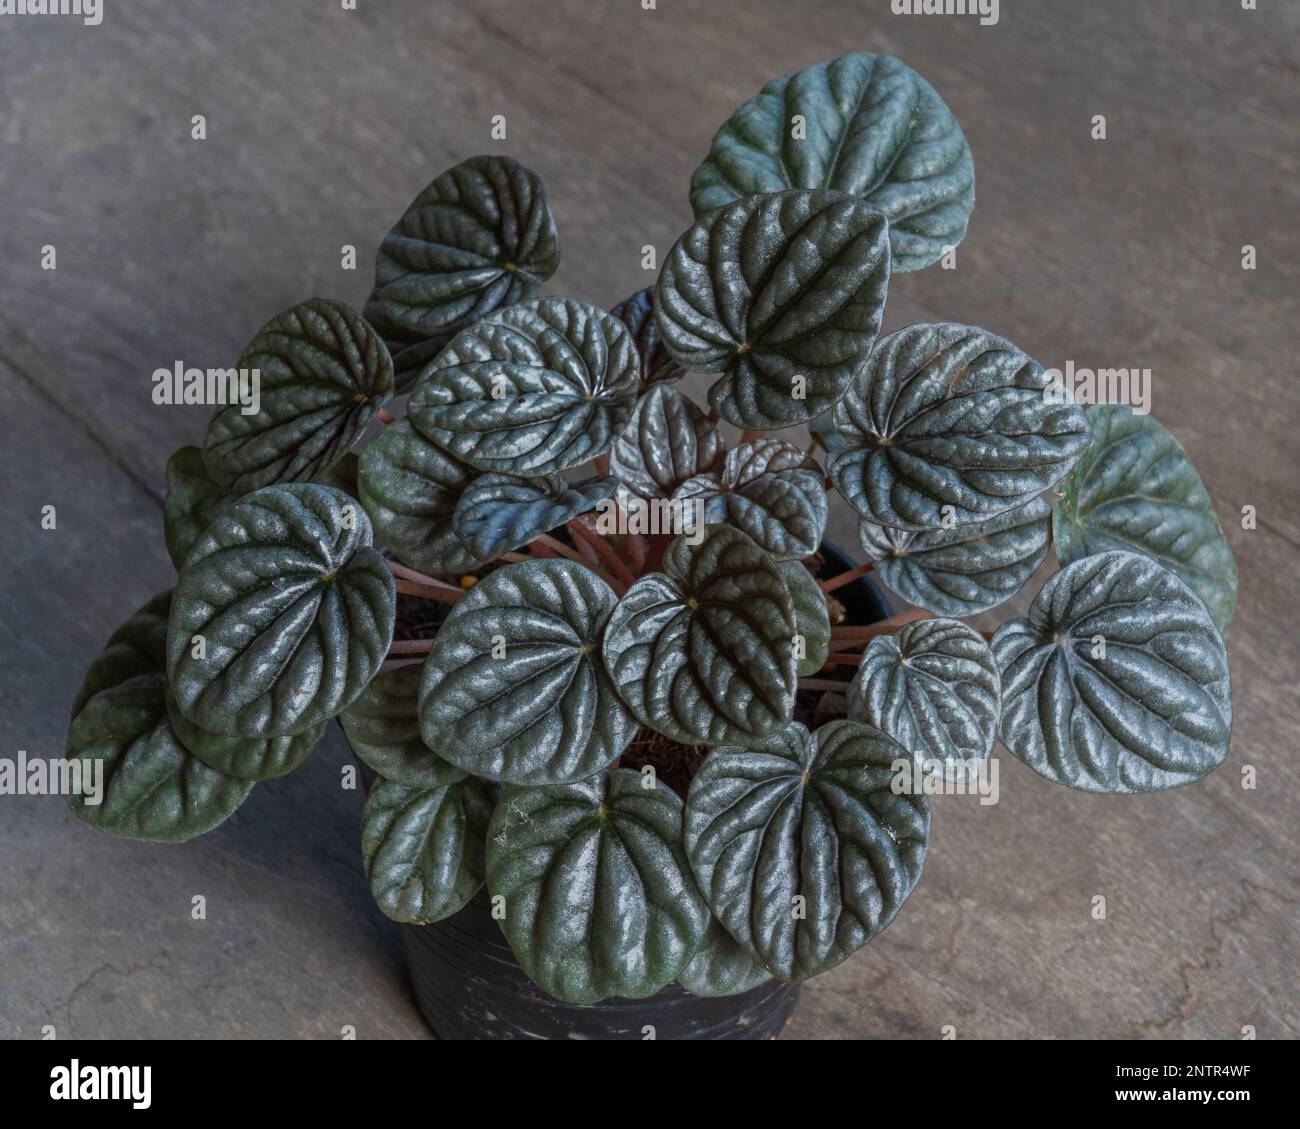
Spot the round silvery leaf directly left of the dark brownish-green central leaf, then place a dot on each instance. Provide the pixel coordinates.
(514, 689)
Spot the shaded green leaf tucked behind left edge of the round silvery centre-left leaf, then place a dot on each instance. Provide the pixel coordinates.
(383, 729)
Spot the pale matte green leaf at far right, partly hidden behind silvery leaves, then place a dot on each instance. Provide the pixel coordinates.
(1137, 490)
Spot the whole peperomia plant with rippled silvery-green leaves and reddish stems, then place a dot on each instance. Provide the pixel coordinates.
(630, 733)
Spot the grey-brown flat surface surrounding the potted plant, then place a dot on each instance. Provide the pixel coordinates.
(322, 126)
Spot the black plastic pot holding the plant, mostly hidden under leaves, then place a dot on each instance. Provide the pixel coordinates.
(470, 987)
